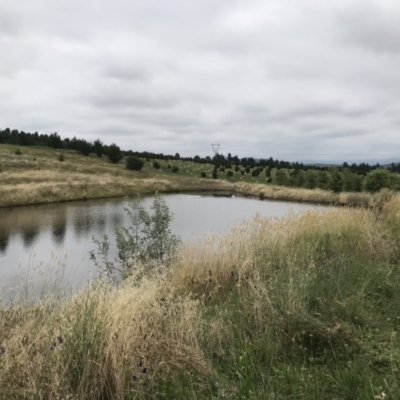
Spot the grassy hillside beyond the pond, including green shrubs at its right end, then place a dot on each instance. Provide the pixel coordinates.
(46, 175)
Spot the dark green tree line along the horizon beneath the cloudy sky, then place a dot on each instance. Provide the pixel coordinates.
(300, 175)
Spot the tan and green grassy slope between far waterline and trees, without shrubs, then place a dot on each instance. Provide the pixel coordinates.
(38, 176)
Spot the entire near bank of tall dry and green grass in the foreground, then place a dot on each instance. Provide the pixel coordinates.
(305, 307)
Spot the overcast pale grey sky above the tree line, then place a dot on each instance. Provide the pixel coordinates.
(291, 79)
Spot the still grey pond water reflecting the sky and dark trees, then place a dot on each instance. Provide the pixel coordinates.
(54, 241)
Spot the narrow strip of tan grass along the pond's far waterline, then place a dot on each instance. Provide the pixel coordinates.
(17, 195)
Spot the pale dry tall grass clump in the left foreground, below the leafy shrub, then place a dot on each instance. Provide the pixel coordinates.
(101, 341)
